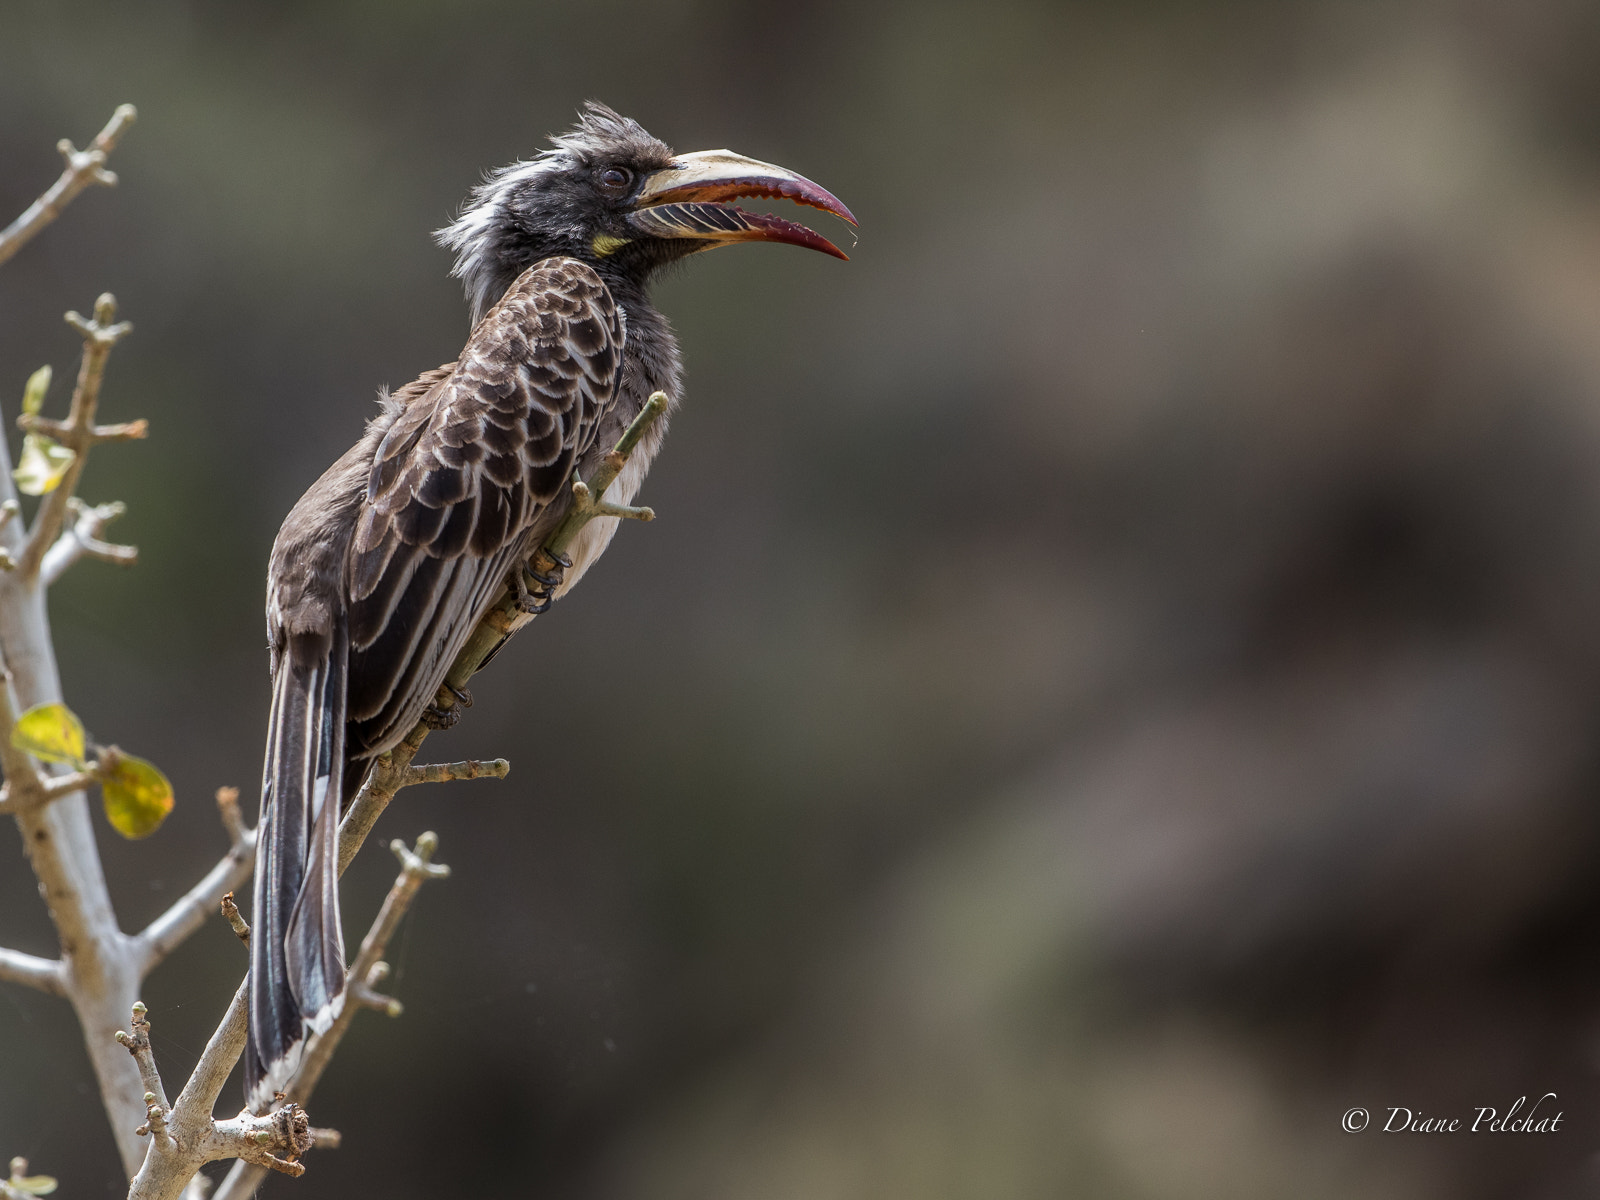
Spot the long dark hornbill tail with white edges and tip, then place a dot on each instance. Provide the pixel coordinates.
(297, 946)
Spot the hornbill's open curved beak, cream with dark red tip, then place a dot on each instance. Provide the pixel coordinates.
(689, 201)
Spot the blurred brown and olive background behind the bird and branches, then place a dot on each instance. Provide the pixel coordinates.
(1116, 678)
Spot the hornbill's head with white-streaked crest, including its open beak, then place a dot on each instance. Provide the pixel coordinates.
(623, 202)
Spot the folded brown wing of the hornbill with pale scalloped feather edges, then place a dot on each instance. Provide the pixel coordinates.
(460, 481)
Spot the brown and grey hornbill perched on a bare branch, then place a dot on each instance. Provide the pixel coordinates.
(385, 567)
